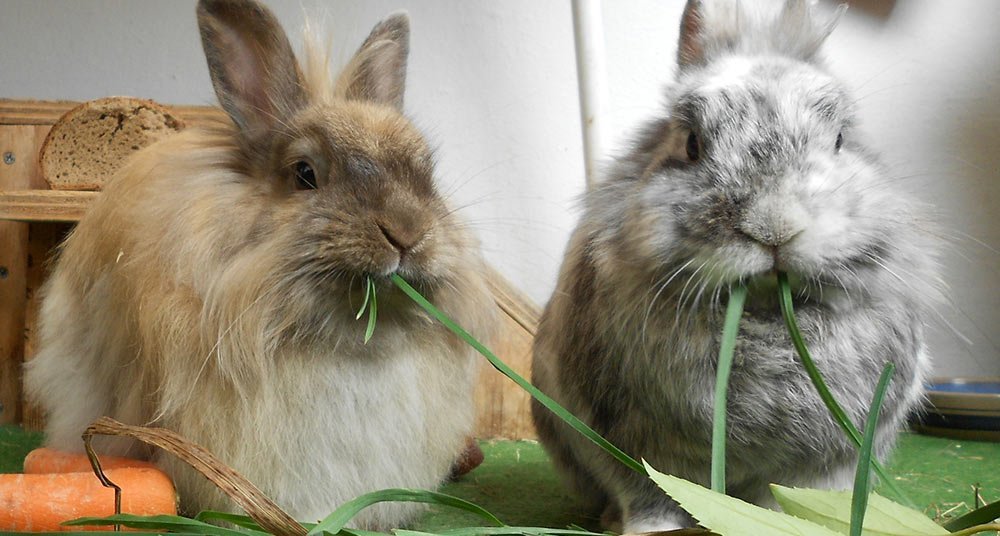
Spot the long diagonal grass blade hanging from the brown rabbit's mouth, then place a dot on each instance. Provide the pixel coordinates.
(541, 397)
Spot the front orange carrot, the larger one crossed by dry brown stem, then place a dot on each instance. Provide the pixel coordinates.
(40, 502)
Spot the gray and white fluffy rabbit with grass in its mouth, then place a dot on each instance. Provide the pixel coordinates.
(755, 166)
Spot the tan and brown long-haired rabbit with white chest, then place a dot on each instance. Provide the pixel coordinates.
(212, 292)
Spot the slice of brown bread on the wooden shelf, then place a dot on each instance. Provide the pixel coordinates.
(90, 142)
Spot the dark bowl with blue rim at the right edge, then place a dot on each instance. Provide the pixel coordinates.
(962, 408)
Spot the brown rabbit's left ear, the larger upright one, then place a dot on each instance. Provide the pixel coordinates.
(253, 68)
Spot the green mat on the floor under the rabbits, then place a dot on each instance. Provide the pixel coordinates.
(518, 484)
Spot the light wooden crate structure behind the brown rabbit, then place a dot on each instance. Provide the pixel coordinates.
(33, 220)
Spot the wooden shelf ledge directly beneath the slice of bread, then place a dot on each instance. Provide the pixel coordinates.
(44, 205)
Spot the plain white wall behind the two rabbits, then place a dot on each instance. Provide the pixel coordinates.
(494, 86)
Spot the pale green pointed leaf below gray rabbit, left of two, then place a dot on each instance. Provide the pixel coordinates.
(730, 516)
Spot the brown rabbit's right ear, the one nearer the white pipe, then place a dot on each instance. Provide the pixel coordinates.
(377, 73)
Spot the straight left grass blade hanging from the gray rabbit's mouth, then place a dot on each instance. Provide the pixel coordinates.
(734, 311)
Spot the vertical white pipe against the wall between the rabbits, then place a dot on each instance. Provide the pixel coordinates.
(591, 72)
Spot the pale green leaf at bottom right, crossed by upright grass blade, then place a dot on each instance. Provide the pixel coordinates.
(833, 509)
